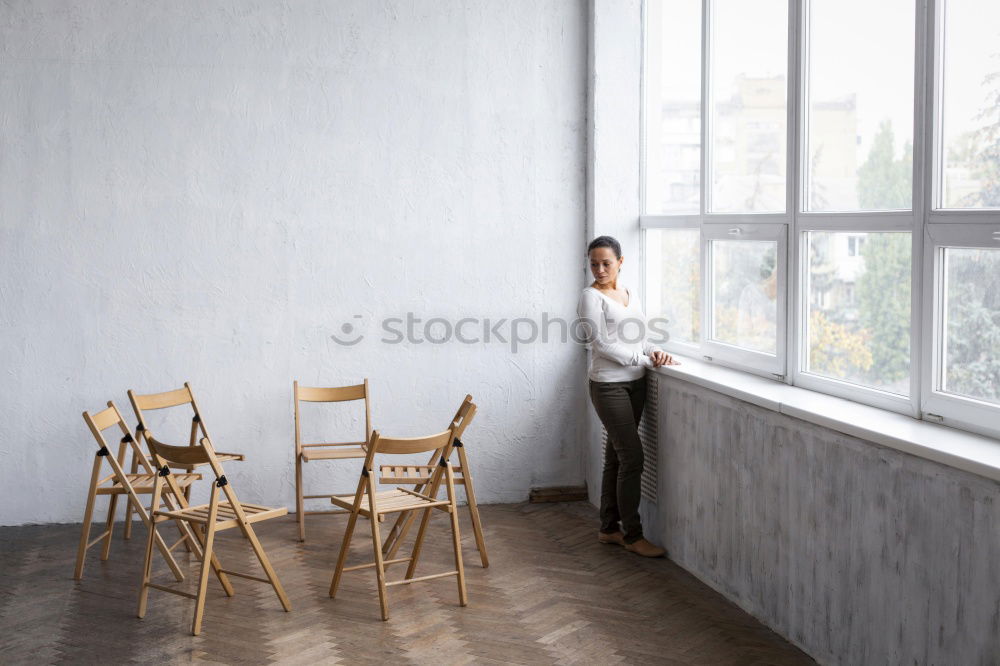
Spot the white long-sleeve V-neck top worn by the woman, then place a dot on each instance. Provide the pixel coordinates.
(613, 359)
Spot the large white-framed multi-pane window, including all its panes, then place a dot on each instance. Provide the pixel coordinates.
(821, 195)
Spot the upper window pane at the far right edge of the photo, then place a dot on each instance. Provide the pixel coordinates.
(970, 129)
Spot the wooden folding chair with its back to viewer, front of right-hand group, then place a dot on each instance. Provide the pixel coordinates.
(367, 502)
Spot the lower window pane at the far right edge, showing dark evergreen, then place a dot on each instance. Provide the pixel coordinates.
(972, 323)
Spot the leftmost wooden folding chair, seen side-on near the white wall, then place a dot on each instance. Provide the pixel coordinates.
(120, 483)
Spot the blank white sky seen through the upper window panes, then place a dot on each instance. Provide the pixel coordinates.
(863, 47)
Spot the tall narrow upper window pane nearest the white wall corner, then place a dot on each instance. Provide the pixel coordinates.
(673, 106)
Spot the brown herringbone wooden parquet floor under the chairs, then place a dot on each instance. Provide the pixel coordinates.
(552, 595)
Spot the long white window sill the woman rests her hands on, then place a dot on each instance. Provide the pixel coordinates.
(962, 450)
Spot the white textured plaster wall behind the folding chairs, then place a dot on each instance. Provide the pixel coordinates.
(206, 190)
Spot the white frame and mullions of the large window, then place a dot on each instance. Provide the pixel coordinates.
(931, 227)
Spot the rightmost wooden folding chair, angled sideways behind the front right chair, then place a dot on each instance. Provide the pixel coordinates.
(420, 476)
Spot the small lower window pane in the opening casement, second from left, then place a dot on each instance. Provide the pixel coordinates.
(744, 294)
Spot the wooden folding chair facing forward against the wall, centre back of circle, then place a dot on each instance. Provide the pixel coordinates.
(325, 451)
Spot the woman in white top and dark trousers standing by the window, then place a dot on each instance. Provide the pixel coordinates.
(618, 391)
